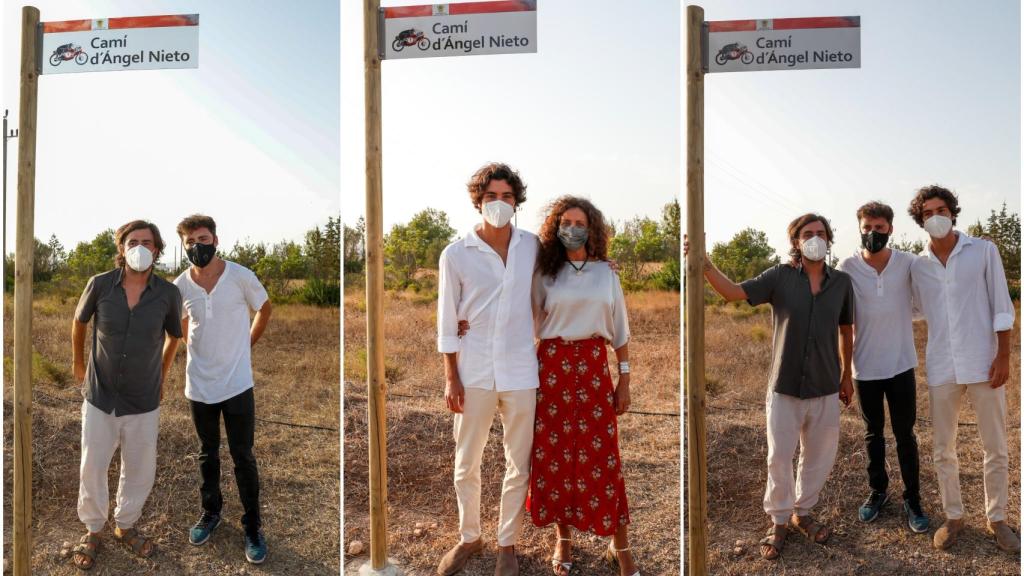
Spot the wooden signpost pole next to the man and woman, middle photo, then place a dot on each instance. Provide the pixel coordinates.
(376, 384)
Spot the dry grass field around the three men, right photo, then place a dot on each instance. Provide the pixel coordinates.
(739, 345)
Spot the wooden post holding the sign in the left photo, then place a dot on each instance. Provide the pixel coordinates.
(23, 292)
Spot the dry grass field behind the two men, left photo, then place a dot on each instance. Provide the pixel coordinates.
(296, 367)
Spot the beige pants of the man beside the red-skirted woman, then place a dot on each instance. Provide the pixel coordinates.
(472, 430)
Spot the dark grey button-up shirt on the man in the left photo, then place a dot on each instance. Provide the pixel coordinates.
(123, 375)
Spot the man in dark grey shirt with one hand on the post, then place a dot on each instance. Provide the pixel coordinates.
(814, 310)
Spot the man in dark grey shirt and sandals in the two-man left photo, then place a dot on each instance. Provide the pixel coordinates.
(137, 326)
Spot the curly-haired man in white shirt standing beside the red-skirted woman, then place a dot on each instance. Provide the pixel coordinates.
(486, 280)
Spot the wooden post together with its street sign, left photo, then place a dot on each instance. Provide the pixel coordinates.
(65, 38)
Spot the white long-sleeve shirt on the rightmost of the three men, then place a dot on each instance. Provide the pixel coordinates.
(966, 303)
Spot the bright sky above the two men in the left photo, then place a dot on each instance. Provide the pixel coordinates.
(251, 138)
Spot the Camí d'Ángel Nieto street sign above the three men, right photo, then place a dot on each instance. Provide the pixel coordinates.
(784, 45)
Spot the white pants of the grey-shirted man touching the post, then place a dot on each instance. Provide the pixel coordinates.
(814, 425)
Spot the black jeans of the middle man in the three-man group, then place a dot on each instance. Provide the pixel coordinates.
(901, 391)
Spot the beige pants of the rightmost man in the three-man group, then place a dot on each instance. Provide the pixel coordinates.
(991, 414)
